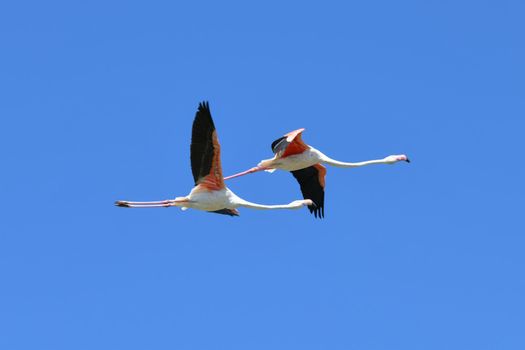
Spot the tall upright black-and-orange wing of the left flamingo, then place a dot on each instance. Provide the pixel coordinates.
(205, 151)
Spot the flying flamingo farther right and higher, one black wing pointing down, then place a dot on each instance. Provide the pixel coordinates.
(305, 164)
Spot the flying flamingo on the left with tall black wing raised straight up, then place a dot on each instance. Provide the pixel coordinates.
(210, 193)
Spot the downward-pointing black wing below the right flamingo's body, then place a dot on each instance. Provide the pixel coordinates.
(312, 180)
